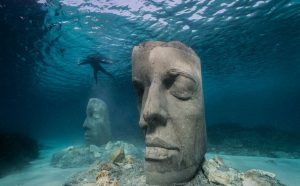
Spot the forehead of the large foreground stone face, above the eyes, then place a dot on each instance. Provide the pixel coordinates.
(162, 59)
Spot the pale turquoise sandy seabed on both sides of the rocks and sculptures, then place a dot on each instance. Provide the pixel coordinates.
(41, 173)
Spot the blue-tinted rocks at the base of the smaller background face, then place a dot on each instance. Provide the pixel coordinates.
(79, 156)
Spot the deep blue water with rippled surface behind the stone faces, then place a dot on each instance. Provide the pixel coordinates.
(249, 52)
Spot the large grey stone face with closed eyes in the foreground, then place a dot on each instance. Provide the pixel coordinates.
(167, 77)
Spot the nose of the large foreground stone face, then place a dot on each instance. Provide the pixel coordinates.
(154, 112)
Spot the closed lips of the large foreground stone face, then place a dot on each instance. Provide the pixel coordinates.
(157, 149)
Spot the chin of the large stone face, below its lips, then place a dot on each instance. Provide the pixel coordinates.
(170, 177)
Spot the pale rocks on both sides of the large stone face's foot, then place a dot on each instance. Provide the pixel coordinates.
(123, 169)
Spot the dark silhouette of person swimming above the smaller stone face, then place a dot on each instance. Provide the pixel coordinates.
(95, 60)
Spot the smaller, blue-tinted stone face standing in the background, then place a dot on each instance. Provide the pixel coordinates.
(96, 125)
